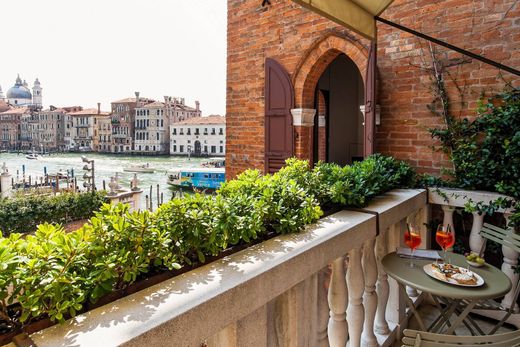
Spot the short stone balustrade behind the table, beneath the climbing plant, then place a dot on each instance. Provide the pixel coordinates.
(450, 200)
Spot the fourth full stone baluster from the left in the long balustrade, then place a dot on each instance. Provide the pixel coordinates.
(382, 289)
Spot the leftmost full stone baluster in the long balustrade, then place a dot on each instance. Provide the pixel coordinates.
(338, 294)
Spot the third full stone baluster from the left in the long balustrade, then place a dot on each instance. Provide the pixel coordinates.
(370, 295)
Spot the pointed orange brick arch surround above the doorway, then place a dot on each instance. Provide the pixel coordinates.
(316, 61)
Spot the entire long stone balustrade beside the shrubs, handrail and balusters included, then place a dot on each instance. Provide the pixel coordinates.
(280, 292)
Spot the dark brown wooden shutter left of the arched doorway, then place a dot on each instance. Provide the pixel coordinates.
(279, 100)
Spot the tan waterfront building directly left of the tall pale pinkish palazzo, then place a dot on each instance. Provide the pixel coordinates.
(123, 122)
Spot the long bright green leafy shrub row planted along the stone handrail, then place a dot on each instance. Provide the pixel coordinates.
(55, 274)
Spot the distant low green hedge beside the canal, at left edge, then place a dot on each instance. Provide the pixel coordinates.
(25, 213)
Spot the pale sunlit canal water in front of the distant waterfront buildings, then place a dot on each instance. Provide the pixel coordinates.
(106, 166)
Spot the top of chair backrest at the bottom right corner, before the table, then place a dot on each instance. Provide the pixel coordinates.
(414, 338)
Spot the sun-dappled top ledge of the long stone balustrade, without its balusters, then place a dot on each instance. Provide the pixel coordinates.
(196, 305)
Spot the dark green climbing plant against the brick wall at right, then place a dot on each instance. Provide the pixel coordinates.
(486, 152)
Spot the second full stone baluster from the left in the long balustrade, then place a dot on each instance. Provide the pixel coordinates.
(356, 285)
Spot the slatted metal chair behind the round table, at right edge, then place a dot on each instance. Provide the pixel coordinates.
(508, 238)
